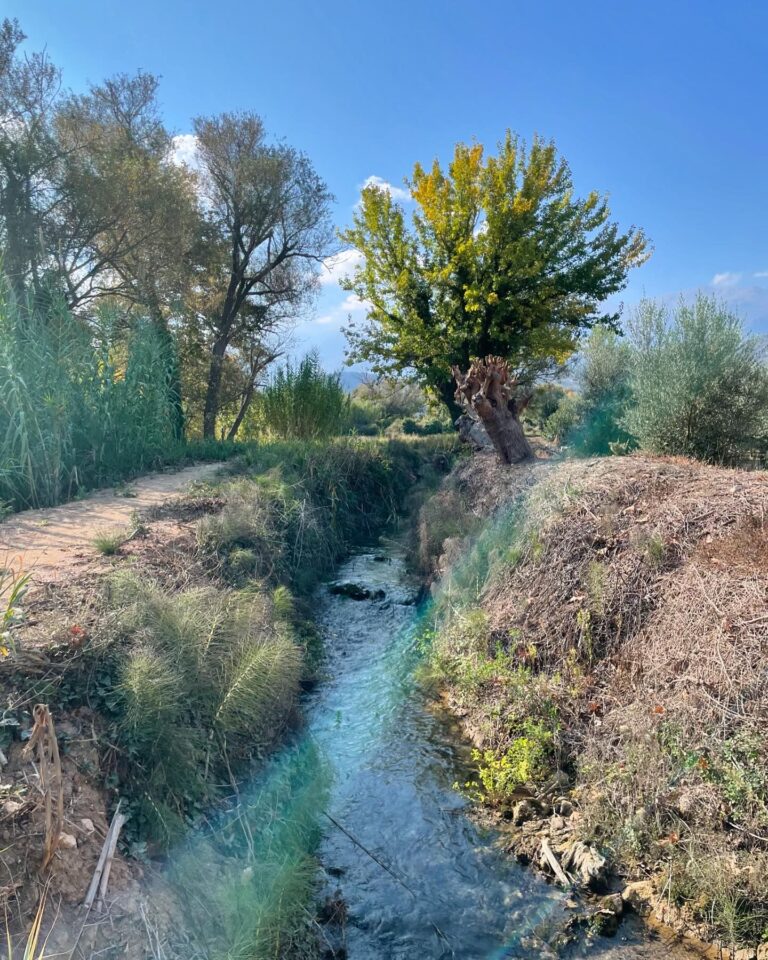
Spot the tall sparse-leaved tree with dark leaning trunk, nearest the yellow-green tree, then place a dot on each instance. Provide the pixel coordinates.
(268, 228)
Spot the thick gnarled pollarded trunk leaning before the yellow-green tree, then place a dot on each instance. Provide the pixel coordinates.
(488, 390)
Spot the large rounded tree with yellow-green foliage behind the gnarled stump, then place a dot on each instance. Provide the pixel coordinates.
(500, 258)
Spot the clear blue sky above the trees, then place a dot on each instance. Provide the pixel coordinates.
(661, 104)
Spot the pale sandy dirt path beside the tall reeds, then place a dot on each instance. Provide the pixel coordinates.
(49, 543)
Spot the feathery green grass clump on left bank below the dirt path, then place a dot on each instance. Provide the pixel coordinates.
(204, 678)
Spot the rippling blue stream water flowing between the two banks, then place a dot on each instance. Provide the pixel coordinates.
(419, 880)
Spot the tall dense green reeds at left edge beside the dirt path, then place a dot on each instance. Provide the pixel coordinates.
(78, 411)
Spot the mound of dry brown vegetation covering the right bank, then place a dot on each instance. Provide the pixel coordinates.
(622, 606)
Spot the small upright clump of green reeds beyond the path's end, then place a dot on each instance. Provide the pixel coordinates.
(302, 402)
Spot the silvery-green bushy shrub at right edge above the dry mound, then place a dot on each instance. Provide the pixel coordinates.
(699, 383)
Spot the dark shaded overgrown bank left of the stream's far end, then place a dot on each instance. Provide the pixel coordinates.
(301, 505)
